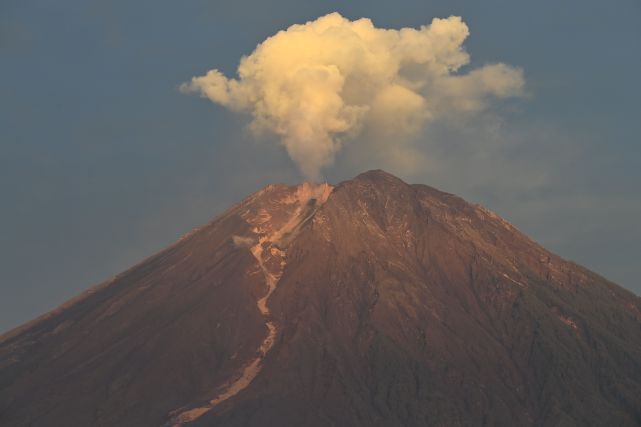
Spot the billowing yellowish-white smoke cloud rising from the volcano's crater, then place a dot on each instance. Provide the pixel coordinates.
(319, 84)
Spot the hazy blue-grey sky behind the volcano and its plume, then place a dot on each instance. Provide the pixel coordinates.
(104, 161)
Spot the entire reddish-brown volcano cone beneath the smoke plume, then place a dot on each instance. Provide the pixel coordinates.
(372, 303)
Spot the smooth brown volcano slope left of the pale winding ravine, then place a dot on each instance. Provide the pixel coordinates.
(162, 335)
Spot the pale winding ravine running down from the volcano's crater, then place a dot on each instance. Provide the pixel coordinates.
(271, 243)
